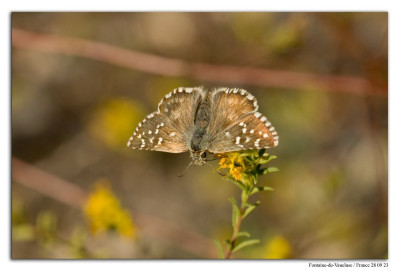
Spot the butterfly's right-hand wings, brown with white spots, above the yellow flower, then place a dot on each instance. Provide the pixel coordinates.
(236, 124)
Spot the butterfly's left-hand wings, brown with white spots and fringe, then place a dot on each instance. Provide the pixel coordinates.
(169, 129)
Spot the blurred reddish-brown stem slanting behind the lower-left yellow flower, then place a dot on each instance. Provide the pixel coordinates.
(72, 195)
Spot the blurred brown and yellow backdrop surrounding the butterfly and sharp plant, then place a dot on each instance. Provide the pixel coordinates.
(82, 81)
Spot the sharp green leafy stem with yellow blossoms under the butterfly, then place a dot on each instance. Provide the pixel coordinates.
(244, 169)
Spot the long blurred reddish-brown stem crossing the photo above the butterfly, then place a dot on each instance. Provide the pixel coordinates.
(199, 71)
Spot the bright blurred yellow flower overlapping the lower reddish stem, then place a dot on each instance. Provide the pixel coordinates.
(104, 212)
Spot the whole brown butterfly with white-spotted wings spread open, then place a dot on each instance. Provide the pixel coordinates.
(199, 120)
